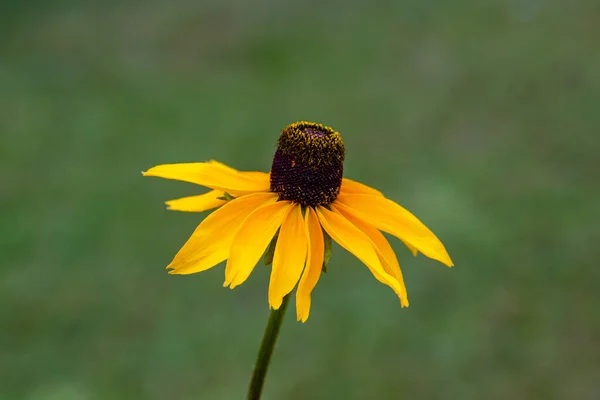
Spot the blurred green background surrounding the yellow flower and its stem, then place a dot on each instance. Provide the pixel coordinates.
(480, 117)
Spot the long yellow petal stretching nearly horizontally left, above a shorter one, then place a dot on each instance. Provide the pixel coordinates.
(213, 175)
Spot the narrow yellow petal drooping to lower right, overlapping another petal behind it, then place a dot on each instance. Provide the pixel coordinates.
(352, 239)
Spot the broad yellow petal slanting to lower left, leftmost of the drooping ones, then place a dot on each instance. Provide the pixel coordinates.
(211, 241)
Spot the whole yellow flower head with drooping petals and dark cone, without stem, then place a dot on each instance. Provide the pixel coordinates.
(304, 200)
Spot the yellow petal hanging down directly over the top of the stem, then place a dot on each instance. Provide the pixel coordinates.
(289, 257)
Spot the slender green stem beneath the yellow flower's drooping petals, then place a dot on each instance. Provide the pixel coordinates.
(266, 350)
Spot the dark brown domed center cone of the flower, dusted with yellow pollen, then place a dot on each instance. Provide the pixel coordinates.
(308, 164)
